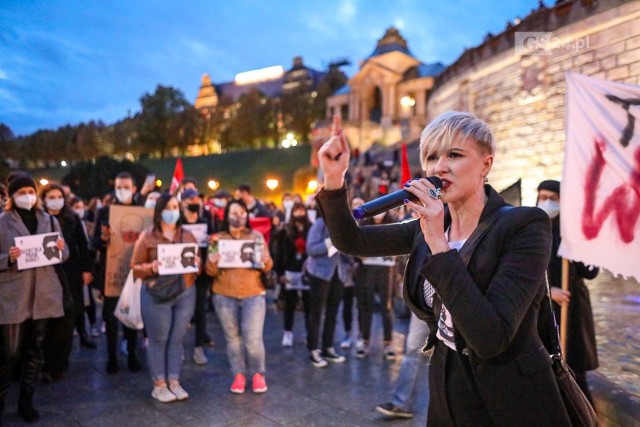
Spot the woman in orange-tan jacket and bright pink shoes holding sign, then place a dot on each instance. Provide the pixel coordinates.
(240, 295)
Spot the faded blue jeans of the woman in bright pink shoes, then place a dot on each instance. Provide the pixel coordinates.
(242, 320)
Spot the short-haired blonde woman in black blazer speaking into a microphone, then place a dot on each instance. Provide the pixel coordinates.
(476, 275)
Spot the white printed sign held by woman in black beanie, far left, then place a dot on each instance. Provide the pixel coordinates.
(38, 250)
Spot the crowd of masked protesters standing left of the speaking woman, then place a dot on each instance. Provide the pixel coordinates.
(308, 274)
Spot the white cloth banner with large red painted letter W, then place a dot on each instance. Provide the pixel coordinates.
(600, 191)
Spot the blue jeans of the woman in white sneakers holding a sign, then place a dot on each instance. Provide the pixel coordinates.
(166, 325)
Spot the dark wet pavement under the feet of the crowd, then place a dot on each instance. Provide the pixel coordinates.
(298, 395)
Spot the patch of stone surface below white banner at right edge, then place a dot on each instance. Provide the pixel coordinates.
(616, 311)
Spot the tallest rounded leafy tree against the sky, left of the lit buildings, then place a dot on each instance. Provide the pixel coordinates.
(166, 121)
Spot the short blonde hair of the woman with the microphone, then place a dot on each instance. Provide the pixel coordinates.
(440, 133)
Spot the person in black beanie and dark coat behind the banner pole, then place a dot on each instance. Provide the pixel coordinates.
(581, 353)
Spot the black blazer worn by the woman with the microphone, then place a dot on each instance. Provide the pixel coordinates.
(494, 301)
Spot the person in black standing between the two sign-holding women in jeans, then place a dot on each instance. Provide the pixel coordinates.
(194, 221)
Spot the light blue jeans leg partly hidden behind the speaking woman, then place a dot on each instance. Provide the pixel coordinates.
(412, 364)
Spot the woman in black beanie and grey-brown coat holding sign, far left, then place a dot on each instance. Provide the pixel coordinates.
(30, 290)
